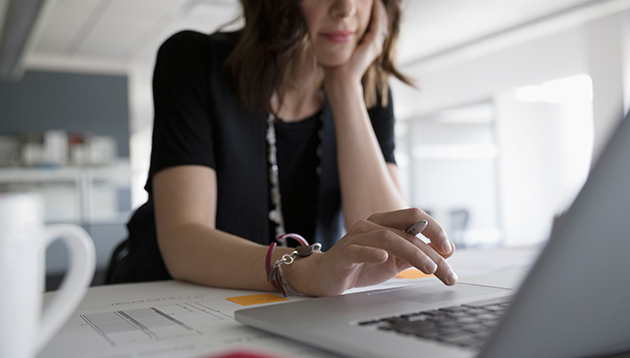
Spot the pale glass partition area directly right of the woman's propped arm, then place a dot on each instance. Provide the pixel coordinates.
(452, 168)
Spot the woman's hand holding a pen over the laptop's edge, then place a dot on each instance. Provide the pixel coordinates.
(374, 251)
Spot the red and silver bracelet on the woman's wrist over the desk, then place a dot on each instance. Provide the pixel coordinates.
(275, 276)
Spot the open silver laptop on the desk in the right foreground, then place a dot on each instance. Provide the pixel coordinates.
(573, 302)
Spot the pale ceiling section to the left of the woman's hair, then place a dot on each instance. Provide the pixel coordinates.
(111, 35)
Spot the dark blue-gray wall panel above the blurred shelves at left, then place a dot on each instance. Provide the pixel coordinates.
(86, 103)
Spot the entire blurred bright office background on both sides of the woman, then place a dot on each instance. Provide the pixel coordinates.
(514, 102)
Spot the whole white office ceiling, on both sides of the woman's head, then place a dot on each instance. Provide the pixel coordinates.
(114, 35)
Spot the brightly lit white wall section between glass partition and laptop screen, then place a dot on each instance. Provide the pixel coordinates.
(545, 153)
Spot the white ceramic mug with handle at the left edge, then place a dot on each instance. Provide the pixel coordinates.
(24, 326)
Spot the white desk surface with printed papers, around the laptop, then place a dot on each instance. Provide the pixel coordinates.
(175, 319)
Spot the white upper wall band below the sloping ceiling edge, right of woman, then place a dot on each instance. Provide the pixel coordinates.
(599, 48)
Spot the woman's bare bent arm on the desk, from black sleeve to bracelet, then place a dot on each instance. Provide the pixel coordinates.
(192, 248)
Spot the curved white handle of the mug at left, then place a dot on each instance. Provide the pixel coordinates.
(75, 283)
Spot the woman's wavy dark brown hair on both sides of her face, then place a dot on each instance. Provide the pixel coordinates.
(275, 33)
